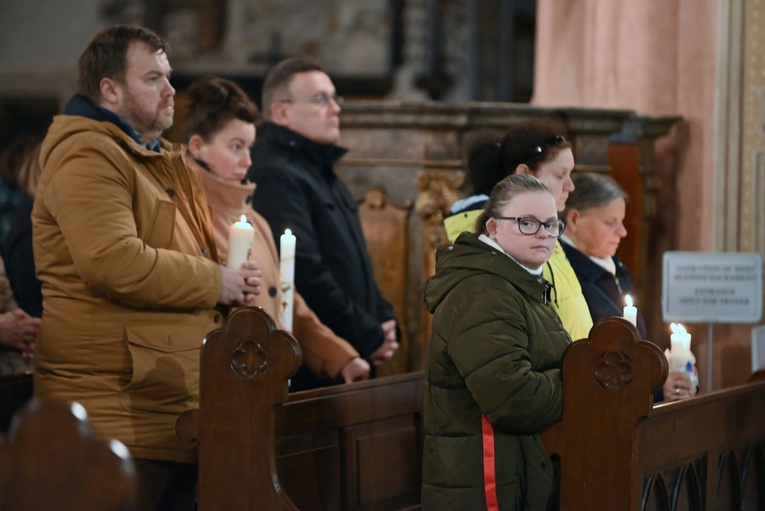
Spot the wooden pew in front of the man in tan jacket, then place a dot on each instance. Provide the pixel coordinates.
(349, 447)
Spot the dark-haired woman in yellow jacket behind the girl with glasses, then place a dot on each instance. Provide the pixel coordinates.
(538, 148)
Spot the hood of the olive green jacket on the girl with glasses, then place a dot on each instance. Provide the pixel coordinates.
(470, 256)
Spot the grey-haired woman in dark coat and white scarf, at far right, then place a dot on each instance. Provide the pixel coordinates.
(594, 218)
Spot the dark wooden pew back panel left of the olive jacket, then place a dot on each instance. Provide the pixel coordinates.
(353, 447)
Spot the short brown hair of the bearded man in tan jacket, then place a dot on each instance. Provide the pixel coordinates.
(106, 56)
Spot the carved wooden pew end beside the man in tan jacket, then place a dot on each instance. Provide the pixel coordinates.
(244, 370)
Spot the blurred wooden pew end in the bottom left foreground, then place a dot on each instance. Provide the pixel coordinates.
(50, 460)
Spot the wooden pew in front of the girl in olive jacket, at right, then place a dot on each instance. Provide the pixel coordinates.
(617, 451)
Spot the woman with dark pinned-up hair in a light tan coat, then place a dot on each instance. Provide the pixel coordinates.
(219, 131)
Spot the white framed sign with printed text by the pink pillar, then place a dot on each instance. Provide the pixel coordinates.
(712, 287)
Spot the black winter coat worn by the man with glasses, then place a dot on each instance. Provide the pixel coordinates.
(297, 189)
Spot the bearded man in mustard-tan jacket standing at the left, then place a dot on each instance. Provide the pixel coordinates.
(125, 251)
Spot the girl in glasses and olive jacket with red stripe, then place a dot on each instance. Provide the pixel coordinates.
(493, 361)
